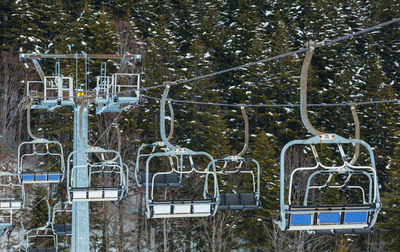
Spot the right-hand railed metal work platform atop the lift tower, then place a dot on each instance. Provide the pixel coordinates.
(114, 93)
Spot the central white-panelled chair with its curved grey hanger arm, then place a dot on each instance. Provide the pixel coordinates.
(175, 208)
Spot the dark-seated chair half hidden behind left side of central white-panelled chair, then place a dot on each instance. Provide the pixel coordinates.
(165, 180)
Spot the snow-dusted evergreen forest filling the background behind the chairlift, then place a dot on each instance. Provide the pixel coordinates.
(182, 39)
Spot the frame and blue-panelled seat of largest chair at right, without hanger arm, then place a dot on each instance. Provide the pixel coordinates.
(343, 217)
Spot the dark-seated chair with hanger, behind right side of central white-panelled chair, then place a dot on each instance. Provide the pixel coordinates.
(240, 200)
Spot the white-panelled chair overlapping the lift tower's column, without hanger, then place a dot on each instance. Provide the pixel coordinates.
(105, 167)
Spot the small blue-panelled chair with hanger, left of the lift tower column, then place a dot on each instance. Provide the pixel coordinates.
(38, 150)
